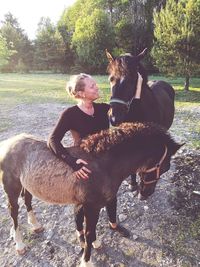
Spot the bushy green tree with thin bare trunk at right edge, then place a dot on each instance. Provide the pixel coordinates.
(176, 48)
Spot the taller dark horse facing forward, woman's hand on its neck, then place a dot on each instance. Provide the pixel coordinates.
(157, 97)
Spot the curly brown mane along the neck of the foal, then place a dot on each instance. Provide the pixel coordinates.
(137, 132)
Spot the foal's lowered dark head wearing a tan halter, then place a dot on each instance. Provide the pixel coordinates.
(149, 175)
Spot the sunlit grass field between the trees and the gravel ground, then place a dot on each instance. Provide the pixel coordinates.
(42, 88)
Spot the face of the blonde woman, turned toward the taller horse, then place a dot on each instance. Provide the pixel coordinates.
(91, 90)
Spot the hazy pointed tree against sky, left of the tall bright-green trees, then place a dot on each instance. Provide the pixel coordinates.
(49, 47)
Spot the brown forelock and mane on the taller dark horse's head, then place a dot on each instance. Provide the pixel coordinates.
(123, 66)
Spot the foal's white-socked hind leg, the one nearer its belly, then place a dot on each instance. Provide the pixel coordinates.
(36, 226)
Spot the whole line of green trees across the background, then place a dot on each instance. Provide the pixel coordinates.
(170, 29)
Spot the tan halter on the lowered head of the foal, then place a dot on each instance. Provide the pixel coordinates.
(155, 168)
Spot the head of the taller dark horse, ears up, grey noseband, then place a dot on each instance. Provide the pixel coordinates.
(124, 72)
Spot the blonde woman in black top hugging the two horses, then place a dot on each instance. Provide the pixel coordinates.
(87, 117)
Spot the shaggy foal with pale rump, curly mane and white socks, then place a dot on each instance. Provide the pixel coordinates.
(28, 166)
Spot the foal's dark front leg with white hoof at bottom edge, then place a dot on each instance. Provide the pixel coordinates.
(91, 218)
